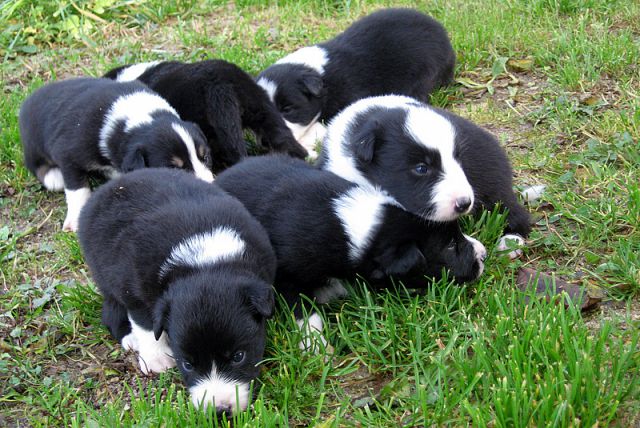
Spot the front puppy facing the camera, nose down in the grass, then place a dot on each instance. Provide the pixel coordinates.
(186, 276)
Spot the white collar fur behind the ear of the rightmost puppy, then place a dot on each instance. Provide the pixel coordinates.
(340, 159)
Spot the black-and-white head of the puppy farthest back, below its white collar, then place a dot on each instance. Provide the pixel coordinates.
(297, 91)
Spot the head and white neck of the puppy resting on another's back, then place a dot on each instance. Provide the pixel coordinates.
(406, 148)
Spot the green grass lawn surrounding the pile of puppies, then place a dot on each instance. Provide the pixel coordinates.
(484, 354)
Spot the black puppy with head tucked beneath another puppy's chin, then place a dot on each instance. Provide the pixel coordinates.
(322, 226)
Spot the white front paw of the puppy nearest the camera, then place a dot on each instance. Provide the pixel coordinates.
(153, 355)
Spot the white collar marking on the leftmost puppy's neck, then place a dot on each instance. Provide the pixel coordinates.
(135, 109)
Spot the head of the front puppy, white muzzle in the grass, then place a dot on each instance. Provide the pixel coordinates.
(215, 321)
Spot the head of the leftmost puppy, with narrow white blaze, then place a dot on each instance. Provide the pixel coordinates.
(171, 143)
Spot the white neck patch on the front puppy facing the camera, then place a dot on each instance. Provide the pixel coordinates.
(222, 243)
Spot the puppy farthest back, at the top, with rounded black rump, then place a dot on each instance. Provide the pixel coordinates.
(399, 51)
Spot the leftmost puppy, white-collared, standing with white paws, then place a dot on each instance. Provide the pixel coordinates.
(73, 128)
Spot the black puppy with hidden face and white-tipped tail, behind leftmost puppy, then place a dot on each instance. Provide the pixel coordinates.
(222, 99)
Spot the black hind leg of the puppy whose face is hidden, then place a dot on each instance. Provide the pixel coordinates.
(224, 117)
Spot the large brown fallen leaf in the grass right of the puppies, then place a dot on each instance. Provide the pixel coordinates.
(548, 285)
